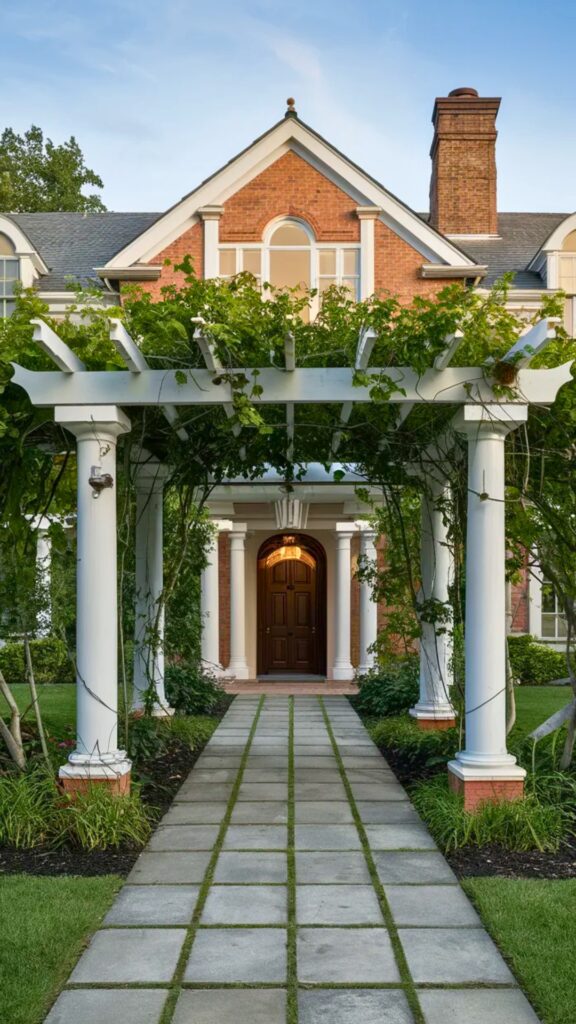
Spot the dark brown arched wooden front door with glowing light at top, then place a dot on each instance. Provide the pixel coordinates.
(293, 606)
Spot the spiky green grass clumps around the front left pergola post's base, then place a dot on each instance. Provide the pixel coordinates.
(34, 812)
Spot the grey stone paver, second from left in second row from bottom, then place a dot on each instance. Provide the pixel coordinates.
(238, 955)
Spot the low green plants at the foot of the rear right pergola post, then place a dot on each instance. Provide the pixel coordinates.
(415, 752)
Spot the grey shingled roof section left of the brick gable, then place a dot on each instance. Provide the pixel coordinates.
(73, 244)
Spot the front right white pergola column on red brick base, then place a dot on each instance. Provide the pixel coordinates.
(485, 771)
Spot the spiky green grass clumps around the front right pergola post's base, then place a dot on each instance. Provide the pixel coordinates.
(517, 825)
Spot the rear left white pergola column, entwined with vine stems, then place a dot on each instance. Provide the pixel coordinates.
(150, 478)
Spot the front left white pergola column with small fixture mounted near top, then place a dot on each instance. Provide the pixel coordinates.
(97, 756)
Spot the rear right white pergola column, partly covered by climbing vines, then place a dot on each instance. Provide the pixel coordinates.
(435, 710)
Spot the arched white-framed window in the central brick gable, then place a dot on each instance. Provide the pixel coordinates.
(291, 258)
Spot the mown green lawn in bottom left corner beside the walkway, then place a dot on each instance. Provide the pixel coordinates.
(46, 924)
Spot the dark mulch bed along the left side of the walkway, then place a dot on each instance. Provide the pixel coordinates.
(160, 781)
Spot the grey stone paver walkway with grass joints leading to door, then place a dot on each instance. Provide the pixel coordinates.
(292, 883)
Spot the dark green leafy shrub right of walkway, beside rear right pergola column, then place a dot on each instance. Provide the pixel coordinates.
(390, 691)
